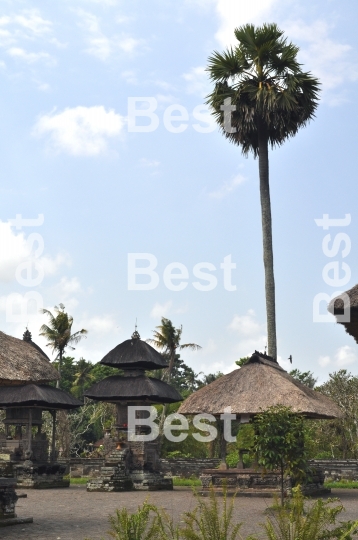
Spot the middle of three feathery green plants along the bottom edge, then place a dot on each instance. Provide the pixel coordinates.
(211, 520)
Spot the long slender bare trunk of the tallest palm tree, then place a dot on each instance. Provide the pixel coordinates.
(267, 239)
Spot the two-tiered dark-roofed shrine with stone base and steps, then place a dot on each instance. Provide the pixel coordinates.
(132, 464)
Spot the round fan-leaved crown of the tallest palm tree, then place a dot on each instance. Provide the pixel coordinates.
(265, 83)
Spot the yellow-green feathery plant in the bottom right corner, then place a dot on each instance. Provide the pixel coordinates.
(293, 521)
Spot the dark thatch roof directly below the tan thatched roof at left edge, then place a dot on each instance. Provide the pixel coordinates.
(37, 395)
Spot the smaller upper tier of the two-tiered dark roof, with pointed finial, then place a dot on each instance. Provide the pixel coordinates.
(134, 353)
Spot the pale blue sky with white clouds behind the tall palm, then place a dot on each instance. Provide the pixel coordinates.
(68, 153)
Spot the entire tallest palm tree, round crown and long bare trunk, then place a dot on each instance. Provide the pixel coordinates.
(261, 98)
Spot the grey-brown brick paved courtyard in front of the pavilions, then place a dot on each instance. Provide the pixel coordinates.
(74, 514)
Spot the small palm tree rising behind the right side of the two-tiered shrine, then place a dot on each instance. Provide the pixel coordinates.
(167, 338)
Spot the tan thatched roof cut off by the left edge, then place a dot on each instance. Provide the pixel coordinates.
(22, 362)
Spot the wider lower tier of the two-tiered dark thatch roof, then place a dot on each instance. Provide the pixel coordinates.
(133, 388)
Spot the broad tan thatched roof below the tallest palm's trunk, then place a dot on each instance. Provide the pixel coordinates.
(257, 385)
